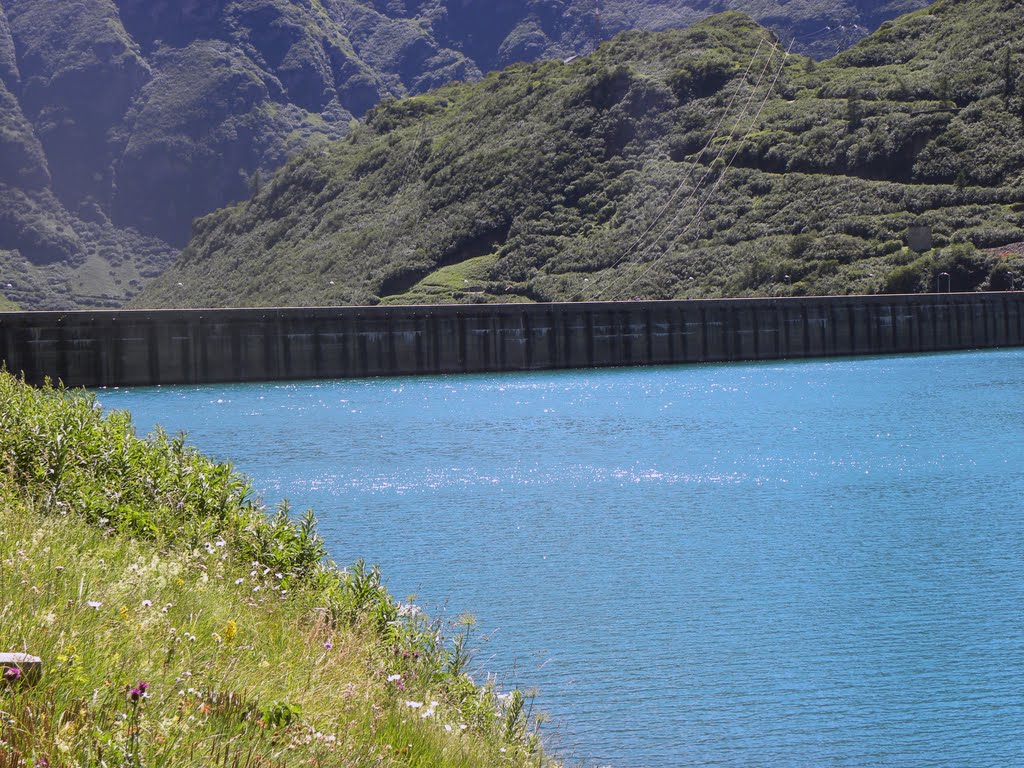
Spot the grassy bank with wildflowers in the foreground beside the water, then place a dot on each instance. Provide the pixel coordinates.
(124, 562)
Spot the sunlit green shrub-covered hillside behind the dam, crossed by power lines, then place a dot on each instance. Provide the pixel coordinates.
(691, 163)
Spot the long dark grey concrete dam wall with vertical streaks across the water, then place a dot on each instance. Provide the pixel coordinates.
(147, 348)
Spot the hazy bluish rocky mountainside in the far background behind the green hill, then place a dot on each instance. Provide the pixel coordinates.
(121, 121)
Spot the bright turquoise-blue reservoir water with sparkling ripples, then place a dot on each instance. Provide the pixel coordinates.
(814, 564)
